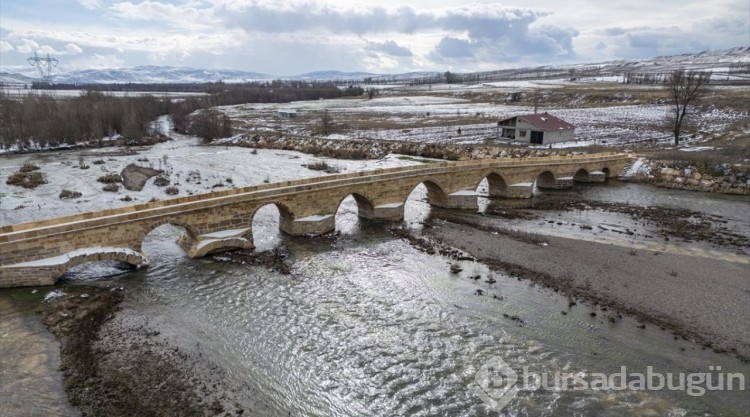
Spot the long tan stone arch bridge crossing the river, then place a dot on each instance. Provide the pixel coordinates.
(38, 253)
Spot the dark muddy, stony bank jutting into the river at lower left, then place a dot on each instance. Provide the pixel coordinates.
(118, 368)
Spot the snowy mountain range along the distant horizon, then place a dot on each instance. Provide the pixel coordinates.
(716, 61)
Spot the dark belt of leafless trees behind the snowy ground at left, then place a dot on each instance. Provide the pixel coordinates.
(38, 121)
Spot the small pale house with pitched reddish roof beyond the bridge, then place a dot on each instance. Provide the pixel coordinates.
(536, 129)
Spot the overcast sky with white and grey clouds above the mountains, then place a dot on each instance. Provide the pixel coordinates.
(384, 36)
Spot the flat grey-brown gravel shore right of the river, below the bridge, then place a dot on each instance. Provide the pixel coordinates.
(698, 298)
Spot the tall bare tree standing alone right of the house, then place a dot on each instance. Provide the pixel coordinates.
(686, 88)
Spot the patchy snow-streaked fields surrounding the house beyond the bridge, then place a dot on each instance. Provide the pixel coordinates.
(435, 114)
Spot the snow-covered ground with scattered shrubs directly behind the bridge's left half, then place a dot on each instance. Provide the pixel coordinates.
(197, 169)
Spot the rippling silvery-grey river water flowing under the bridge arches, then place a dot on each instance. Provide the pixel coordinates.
(366, 325)
